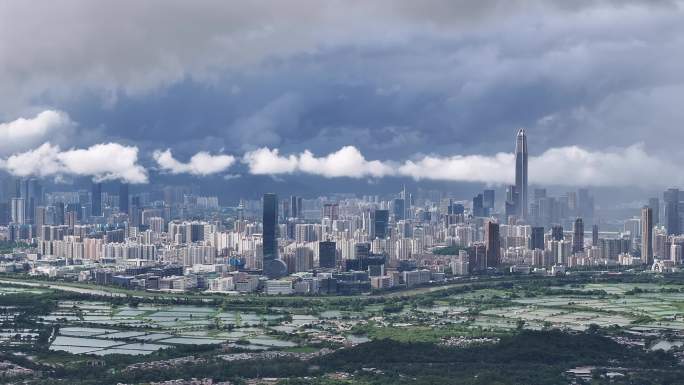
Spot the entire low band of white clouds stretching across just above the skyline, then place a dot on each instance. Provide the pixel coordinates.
(563, 166)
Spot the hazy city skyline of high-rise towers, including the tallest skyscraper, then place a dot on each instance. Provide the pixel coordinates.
(511, 232)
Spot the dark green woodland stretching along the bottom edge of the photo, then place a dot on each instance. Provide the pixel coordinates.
(528, 357)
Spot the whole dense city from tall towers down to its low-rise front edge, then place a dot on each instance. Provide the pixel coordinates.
(173, 238)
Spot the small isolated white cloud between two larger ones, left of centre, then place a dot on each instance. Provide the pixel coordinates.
(202, 163)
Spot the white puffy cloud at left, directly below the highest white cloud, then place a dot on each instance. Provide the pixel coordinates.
(102, 162)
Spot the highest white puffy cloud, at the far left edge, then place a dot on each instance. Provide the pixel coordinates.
(25, 133)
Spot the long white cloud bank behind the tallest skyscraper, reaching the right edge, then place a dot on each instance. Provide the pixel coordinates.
(563, 166)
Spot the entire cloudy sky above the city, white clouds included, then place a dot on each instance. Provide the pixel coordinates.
(339, 92)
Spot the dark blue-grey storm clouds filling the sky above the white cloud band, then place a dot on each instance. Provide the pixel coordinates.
(393, 78)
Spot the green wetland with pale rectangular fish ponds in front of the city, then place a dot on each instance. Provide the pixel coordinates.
(53, 327)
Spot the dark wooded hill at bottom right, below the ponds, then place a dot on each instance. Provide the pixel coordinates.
(530, 357)
